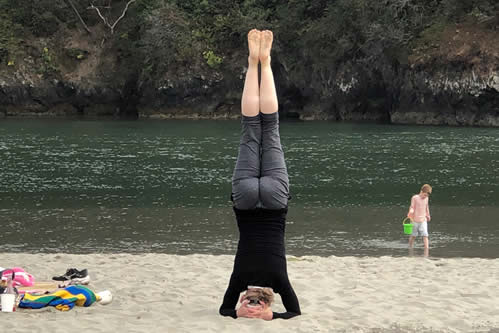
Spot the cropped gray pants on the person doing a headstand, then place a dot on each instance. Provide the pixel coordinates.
(260, 177)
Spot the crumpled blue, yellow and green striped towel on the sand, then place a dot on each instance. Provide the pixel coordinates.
(63, 299)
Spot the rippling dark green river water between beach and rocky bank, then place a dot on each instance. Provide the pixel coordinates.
(163, 186)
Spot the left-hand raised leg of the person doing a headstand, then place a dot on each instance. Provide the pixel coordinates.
(245, 180)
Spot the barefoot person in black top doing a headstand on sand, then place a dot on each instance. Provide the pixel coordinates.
(260, 192)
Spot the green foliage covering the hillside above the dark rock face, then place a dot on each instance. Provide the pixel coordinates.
(161, 36)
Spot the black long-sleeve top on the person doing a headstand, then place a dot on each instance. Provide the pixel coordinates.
(261, 260)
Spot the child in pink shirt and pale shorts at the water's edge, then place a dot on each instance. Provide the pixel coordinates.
(419, 213)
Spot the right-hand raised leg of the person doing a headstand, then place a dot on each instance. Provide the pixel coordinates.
(274, 182)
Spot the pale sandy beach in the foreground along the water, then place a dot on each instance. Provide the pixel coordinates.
(171, 293)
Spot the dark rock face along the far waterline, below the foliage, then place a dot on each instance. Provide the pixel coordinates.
(449, 84)
